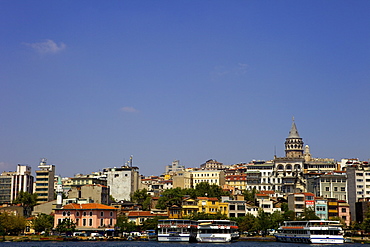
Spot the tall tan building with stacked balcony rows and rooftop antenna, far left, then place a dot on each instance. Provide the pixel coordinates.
(44, 187)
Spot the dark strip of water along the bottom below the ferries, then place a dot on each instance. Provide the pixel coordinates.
(156, 244)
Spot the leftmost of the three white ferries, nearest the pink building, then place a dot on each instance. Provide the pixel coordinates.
(176, 230)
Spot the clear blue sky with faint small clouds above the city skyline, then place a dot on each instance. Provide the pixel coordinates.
(86, 84)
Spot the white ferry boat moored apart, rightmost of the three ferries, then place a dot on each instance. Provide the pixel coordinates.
(312, 231)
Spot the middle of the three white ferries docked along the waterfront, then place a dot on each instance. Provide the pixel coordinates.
(217, 231)
